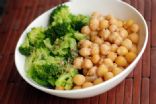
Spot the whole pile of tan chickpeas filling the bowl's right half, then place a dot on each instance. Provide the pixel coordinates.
(111, 46)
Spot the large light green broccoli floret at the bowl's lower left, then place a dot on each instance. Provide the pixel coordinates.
(43, 68)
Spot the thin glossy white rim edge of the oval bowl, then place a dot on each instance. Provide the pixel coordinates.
(48, 90)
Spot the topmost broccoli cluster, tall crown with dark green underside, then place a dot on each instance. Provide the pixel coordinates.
(63, 22)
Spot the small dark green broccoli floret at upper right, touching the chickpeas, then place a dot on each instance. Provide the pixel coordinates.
(78, 21)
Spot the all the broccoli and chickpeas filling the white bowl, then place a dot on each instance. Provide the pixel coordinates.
(77, 51)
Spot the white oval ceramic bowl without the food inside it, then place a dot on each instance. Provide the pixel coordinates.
(115, 7)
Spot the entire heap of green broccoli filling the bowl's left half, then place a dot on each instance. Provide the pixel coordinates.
(50, 51)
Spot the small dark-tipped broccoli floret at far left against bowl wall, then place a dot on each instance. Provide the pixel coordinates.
(26, 48)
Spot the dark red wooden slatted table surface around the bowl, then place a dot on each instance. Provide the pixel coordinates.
(138, 88)
